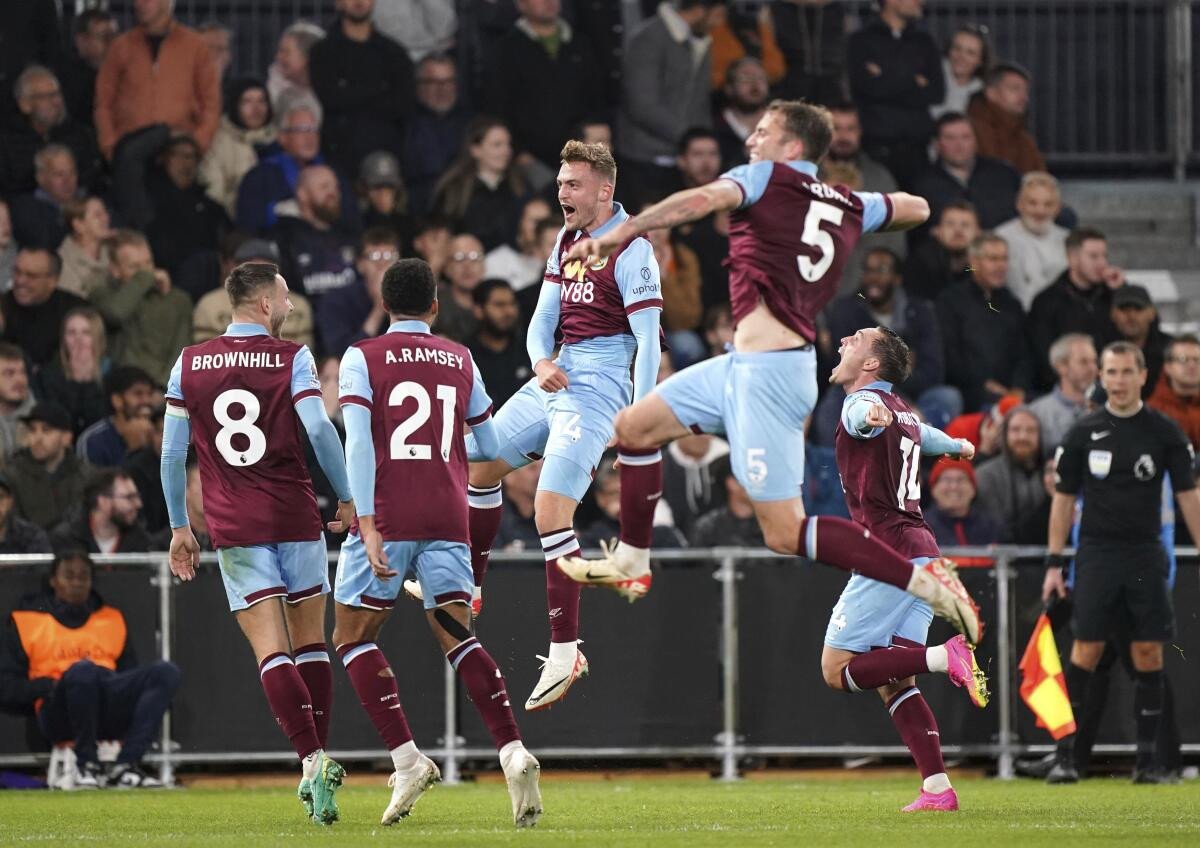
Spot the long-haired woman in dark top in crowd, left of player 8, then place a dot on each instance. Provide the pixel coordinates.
(75, 378)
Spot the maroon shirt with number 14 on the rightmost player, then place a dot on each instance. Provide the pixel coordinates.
(881, 478)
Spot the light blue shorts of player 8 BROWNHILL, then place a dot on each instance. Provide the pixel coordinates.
(295, 572)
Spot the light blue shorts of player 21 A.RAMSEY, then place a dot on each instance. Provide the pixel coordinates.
(443, 570)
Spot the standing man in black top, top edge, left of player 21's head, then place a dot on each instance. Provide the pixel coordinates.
(364, 82)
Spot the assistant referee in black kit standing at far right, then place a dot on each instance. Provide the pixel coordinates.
(1117, 458)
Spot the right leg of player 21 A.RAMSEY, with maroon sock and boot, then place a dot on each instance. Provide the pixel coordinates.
(452, 627)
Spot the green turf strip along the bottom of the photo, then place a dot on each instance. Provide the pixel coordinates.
(811, 814)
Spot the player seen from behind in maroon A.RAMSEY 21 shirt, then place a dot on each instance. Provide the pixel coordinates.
(406, 398)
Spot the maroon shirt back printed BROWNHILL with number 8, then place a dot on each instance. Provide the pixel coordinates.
(238, 393)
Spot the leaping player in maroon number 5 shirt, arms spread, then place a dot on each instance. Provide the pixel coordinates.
(790, 236)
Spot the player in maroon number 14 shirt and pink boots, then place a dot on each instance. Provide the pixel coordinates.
(877, 634)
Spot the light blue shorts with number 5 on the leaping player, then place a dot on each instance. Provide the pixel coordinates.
(760, 402)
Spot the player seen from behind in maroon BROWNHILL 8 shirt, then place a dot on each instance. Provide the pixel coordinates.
(241, 395)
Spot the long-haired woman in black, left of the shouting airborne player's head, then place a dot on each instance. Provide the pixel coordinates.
(483, 191)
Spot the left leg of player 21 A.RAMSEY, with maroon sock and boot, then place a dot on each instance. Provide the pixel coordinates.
(356, 632)
